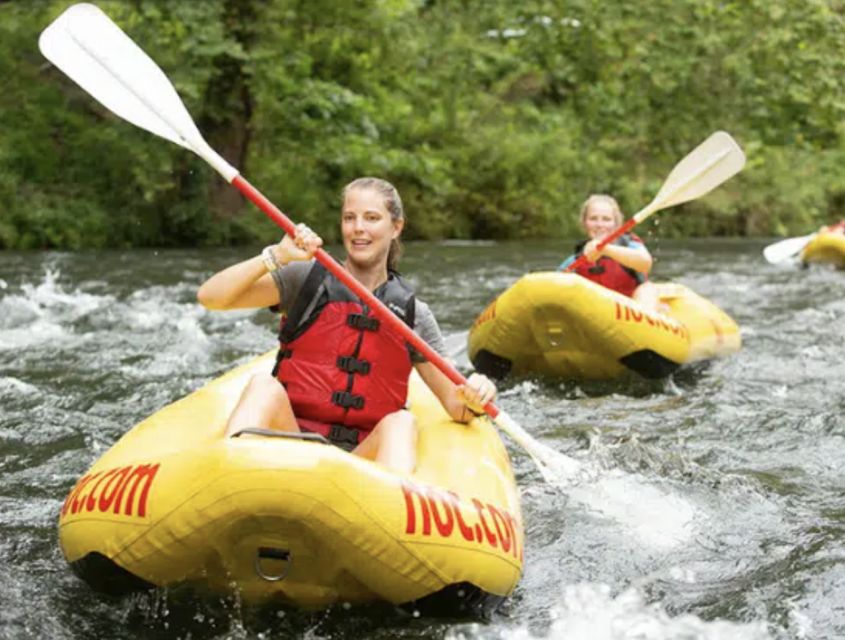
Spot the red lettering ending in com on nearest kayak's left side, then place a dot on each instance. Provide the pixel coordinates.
(138, 479)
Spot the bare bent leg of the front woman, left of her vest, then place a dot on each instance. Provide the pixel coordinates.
(264, 404)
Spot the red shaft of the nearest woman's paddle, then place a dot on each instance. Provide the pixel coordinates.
(385, 315)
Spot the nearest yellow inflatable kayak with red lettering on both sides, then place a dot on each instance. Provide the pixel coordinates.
(296, 520)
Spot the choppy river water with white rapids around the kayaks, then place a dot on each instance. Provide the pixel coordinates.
(719, 512)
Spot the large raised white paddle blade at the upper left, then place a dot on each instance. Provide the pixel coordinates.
(92, 50)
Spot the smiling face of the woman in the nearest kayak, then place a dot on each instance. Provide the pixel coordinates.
(367, 228)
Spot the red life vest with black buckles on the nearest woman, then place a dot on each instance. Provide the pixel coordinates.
(341, 370)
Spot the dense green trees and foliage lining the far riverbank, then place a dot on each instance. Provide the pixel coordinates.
(494, 119)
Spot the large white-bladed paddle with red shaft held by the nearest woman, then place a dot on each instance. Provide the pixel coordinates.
(92, 50)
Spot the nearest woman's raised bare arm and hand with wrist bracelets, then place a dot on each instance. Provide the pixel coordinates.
(249, 284)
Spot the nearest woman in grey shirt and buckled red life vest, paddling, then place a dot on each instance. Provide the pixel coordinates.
(338, 371)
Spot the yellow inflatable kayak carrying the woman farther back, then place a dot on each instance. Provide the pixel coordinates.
(563, 325)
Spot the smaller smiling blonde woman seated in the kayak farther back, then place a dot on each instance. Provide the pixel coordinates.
(622, 265)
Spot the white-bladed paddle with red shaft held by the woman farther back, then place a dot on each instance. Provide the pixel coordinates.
(703, 169)
